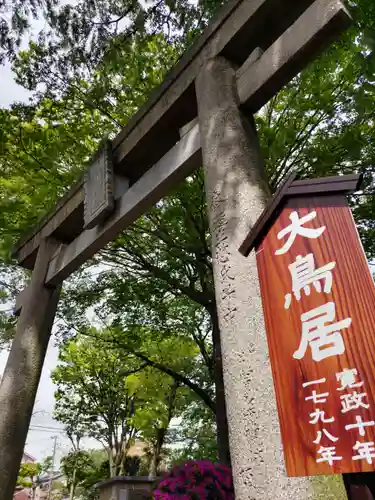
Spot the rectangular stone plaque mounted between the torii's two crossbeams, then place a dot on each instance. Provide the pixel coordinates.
(99, 196)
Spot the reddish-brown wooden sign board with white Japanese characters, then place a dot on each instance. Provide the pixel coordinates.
(319, 308)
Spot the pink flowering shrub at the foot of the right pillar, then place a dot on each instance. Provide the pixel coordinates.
(196, 480)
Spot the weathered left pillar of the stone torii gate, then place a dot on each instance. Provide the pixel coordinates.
(22, 372)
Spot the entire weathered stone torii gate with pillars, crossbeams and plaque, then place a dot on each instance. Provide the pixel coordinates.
(248, 52)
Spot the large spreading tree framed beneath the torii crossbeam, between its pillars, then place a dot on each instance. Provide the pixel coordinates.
(156, 282)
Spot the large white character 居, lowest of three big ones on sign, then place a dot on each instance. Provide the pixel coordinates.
(324, 339)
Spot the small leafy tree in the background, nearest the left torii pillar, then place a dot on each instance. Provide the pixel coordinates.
(92, 392)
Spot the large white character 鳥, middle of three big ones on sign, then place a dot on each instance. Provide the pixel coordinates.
(304, 274)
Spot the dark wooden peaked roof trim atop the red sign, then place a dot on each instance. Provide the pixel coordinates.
(344, 184)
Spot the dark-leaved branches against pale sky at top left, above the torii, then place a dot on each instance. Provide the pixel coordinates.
(84, 34)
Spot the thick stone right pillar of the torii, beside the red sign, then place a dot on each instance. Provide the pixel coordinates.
(236, 196)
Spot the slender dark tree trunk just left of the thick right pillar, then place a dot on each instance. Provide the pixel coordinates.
(222, 436)
